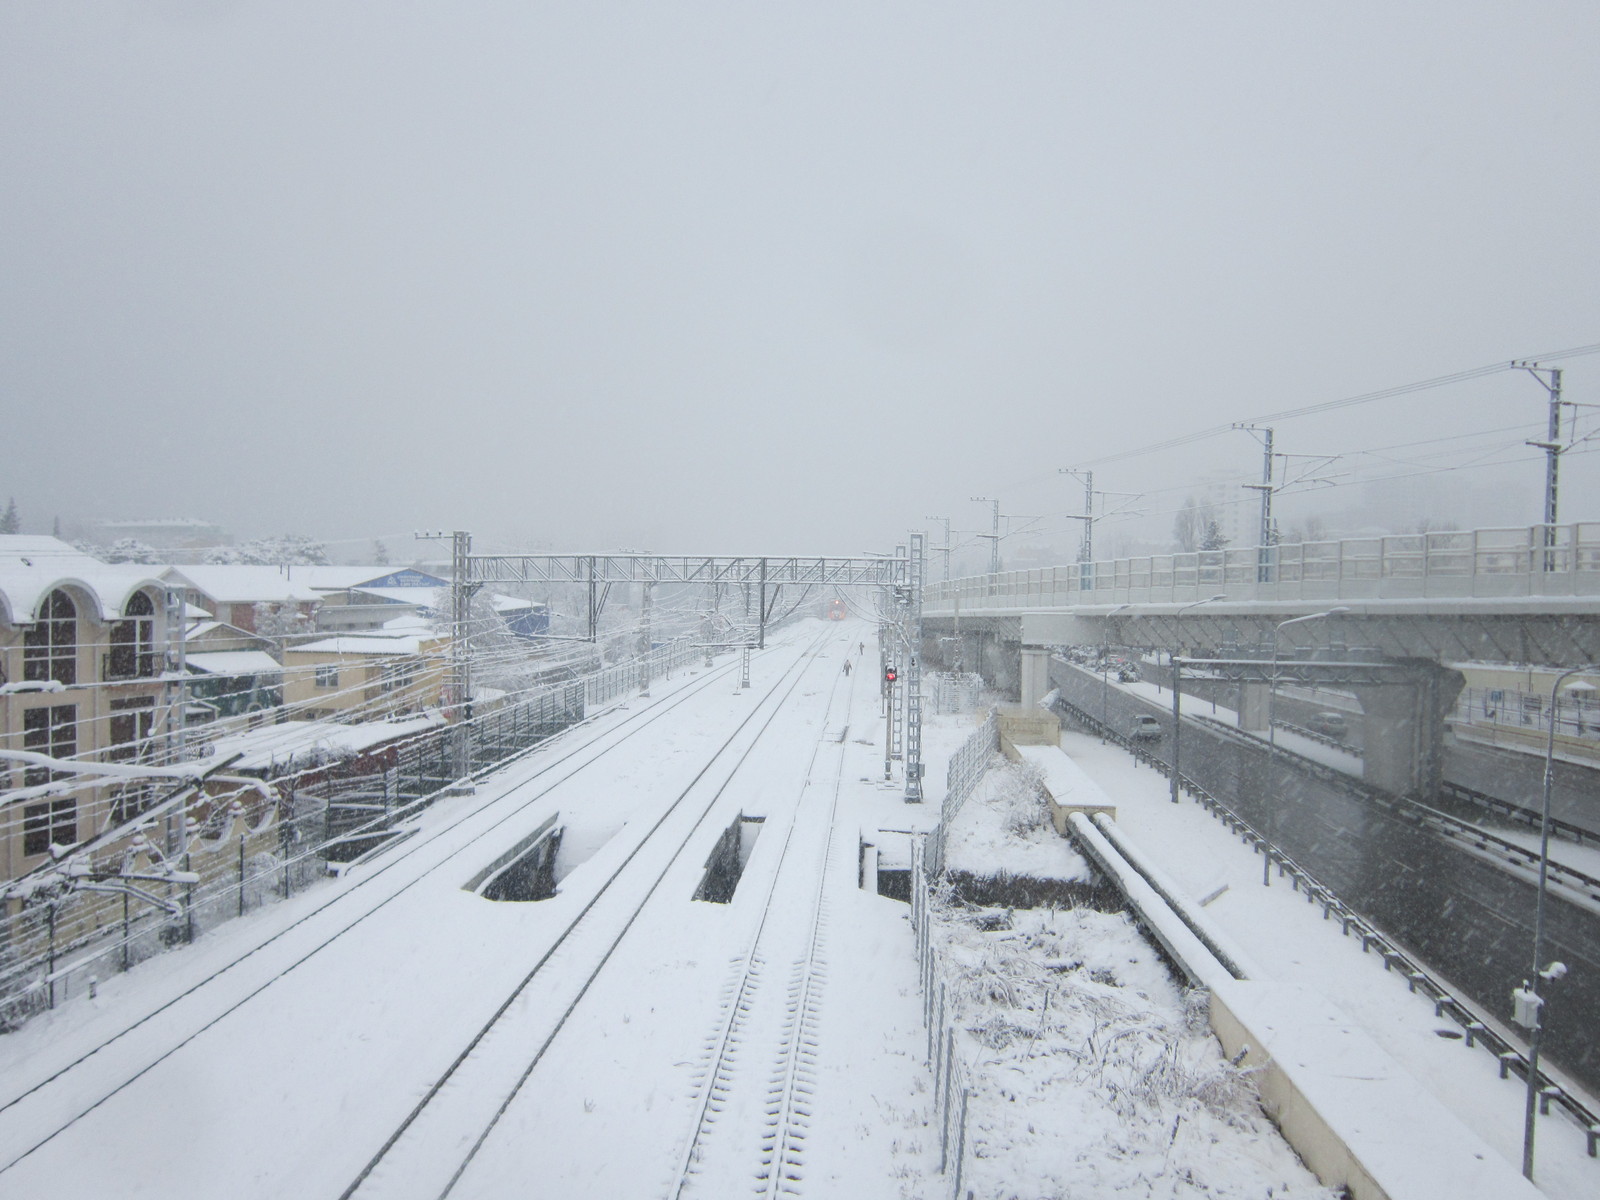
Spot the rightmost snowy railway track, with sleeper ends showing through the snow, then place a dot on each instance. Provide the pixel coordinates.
(754, 1110)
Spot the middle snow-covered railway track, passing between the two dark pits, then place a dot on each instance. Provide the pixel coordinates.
(438, 1142)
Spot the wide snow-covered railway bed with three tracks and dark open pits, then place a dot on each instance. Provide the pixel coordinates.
(596, 1012)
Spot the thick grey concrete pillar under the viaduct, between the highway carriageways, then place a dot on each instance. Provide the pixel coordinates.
(1404, 748)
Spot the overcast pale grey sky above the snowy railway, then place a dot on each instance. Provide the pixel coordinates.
(764, 278)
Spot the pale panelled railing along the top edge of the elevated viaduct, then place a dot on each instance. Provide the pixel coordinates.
(1481, 564)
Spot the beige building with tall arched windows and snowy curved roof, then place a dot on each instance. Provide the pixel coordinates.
(82, 663)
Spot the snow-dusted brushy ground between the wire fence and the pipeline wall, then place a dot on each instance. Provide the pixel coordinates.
(1094, 1071)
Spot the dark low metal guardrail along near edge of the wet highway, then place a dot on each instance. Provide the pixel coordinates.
(1351, 924)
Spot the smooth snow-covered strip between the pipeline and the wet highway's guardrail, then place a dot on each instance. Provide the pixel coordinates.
(1366, 1079)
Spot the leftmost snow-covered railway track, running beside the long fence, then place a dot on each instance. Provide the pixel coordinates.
(175, 1022)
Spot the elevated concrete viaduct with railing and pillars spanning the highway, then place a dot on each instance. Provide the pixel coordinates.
(1378, 617)
